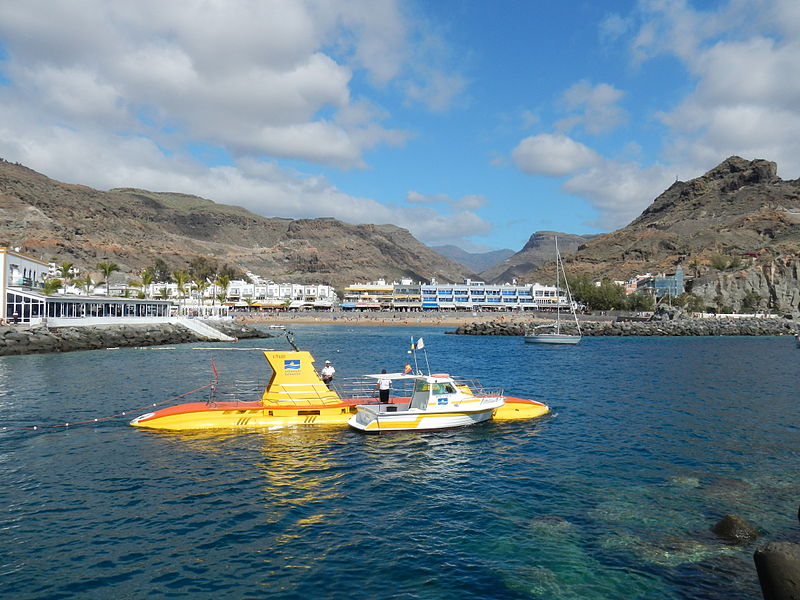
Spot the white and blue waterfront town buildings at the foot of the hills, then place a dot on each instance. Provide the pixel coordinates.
(34, 291)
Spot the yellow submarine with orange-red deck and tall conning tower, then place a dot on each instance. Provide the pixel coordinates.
(296, 395)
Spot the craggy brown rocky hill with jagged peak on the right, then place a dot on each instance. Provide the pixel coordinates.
(734, 230)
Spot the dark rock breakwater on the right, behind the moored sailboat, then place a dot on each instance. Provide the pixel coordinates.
(678, 327)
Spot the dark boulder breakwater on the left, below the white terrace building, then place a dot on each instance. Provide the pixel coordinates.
(43, 339)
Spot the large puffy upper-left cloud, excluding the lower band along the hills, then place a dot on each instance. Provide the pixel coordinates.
(270, 78)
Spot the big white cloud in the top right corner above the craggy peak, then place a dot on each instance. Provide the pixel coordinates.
(745, 59)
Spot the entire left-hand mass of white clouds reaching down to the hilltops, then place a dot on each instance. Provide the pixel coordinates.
(111, 94)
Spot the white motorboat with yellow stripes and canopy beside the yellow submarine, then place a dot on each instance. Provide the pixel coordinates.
(436, 402)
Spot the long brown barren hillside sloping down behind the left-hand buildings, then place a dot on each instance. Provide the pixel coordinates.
(56, 221)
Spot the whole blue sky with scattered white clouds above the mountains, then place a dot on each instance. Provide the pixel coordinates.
(469, 123)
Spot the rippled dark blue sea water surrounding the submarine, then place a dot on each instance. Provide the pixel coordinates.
(651, 441)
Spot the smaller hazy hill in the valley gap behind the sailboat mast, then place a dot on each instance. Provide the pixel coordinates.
(539, 250)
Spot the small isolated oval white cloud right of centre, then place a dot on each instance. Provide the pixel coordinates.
(552, 154)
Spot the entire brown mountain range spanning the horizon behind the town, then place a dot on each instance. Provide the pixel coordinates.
(735, 231)
